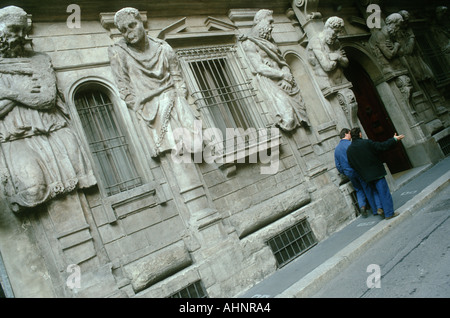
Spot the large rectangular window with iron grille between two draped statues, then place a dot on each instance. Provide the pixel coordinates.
(221, 92)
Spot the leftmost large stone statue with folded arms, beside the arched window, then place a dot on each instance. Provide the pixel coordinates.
(40, 156)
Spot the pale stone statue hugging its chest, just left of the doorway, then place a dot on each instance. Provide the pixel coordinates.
(326, 55)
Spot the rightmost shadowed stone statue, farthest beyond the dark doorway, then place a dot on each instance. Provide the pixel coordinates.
(418, 68)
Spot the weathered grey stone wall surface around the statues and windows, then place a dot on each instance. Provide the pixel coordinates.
(185, 223)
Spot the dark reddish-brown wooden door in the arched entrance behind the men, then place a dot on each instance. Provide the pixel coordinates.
(374, 118)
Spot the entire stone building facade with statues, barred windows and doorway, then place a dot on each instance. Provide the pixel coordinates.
(215, 221)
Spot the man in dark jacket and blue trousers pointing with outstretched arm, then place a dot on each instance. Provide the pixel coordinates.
(362, 156)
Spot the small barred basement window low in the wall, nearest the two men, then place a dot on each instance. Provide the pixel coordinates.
(292, 242)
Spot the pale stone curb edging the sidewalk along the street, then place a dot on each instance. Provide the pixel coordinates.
(311, 283)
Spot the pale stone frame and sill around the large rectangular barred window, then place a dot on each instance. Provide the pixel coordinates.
(247, 141)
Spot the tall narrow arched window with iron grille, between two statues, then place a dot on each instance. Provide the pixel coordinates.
(107, 142)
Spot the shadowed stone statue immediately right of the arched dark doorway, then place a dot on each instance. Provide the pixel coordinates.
(386, 47)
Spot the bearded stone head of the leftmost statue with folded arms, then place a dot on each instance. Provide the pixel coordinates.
(13, 29)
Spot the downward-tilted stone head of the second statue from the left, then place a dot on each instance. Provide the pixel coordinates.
(129, 22)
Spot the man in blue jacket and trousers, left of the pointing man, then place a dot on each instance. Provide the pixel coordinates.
(363, 191)
